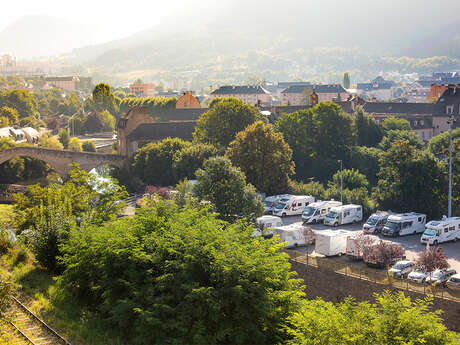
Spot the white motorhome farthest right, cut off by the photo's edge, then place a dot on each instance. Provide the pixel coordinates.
(439, 231)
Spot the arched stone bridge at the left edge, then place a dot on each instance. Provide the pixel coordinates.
(60, 160)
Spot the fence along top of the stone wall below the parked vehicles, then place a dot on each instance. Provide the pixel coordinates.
(357, 269)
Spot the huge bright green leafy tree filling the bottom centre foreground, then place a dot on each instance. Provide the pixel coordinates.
(218, 285)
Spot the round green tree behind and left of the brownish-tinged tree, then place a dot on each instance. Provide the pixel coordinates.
(226, 117)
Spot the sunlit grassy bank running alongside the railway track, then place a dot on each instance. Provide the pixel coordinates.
(38, 287)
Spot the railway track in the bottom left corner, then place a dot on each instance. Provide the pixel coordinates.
(24, 327)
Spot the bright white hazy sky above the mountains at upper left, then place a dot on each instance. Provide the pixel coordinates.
(114, 18)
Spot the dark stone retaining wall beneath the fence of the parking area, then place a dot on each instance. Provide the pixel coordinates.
(334, 287)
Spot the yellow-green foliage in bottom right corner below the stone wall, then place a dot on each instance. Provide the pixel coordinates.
(394, 320)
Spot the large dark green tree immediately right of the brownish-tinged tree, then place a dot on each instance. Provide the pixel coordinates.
(318, 137)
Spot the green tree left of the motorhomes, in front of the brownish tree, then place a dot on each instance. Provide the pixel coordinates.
(225, 187)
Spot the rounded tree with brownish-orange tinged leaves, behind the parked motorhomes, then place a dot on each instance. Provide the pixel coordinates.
(263, 156)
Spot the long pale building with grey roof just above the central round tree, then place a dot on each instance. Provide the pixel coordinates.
(254, 95)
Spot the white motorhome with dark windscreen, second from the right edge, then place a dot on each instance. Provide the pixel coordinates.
(404, 224)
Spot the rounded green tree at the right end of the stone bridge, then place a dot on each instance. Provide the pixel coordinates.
(154, 162)
